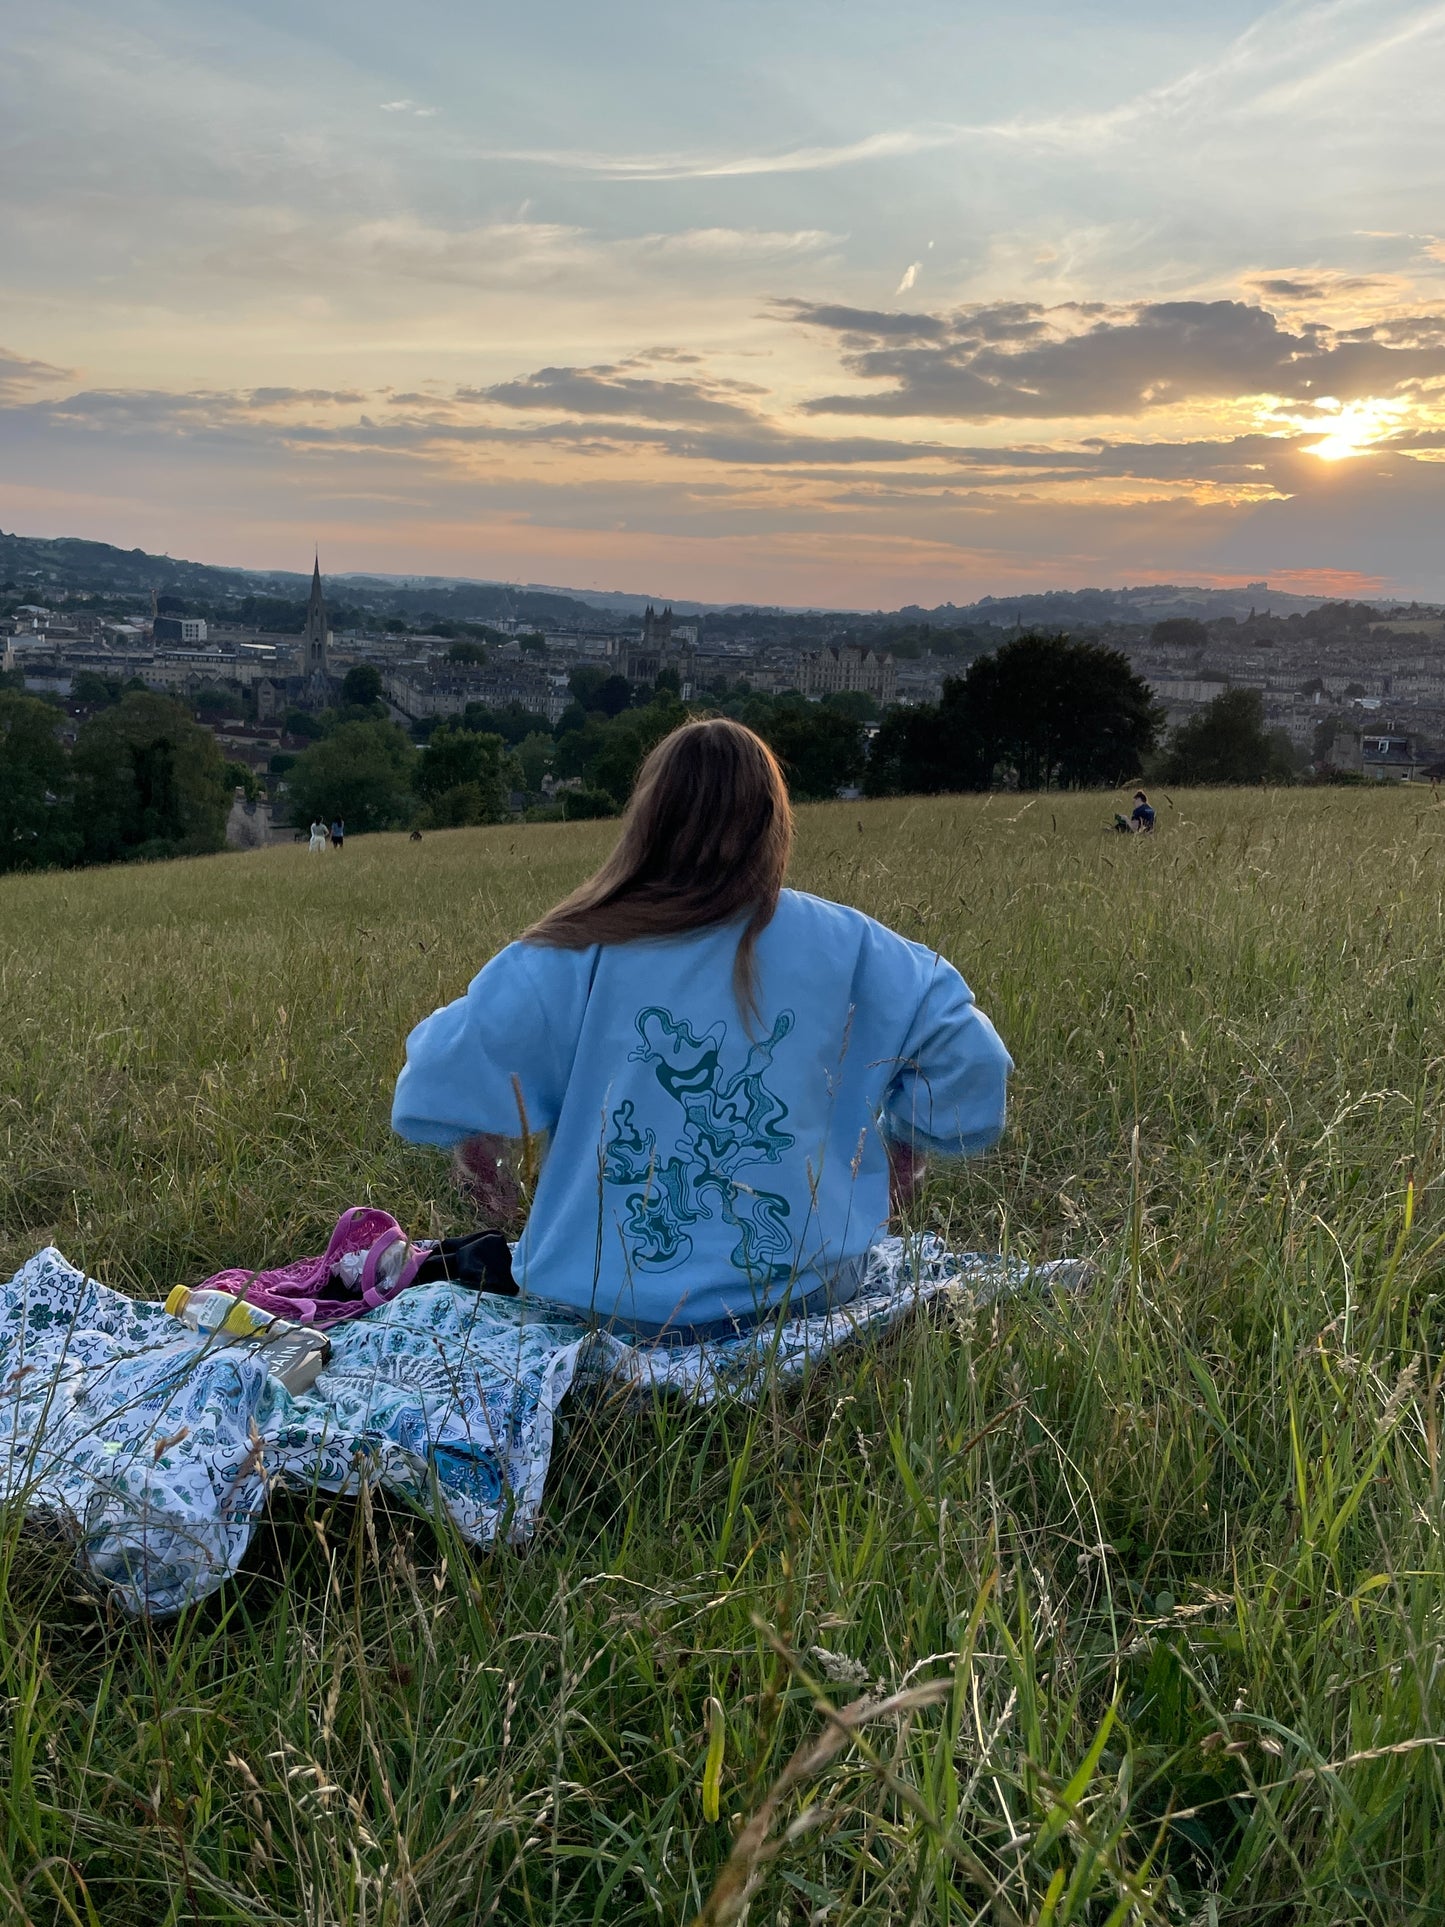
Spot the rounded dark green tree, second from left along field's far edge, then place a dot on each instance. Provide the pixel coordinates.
(149, 781)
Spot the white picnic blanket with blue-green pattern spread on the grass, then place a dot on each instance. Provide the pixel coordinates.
(155, 1448)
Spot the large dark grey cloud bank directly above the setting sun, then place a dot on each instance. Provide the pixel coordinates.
(1086, 359)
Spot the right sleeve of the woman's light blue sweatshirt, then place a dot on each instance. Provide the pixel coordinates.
(949, 1094)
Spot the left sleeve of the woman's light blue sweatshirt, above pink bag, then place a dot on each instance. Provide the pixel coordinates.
(463, 1059)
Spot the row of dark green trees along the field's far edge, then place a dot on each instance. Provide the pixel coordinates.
(144, 779)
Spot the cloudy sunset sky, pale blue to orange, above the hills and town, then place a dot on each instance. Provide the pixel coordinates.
(793, 302)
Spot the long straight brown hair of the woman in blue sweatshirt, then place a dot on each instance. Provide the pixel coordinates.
(706, 837)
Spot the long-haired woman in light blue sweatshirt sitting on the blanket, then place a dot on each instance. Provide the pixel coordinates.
(723, 1069)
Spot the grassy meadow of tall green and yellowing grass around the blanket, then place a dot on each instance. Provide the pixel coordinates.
(1172, 1546)
